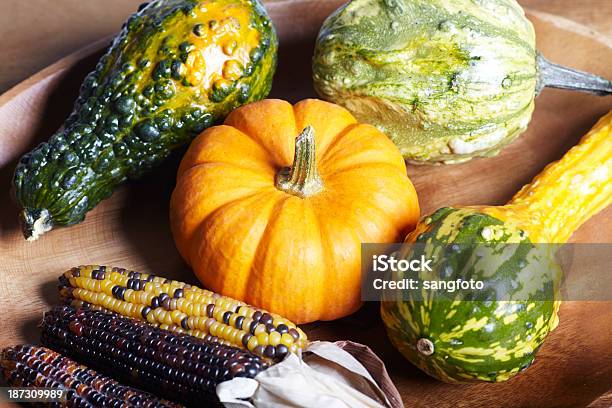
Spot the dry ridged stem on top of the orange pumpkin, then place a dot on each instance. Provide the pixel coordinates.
(302, 178)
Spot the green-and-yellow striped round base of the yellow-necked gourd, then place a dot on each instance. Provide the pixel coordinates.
(487, 339)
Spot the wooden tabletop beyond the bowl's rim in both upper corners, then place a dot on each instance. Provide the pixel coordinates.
(36, 33)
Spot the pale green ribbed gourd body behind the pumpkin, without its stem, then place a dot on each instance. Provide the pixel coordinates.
(447, 80)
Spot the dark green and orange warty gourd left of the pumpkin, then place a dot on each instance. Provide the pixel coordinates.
(177, 67)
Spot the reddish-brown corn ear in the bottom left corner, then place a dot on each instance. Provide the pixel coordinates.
(32, 366)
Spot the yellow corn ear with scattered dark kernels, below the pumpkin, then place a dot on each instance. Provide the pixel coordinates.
(180, 307)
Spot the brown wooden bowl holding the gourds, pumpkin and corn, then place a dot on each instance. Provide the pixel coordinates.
(573, 368)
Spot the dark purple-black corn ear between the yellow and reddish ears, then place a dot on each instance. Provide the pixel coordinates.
(175, 366)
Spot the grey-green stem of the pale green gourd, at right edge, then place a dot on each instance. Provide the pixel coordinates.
(557, 76)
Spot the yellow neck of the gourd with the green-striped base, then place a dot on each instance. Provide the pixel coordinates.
(568, 192)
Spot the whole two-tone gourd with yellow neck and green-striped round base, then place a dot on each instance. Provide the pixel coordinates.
(493, 338)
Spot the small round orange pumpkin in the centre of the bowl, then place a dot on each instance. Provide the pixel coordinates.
(262, 218)
